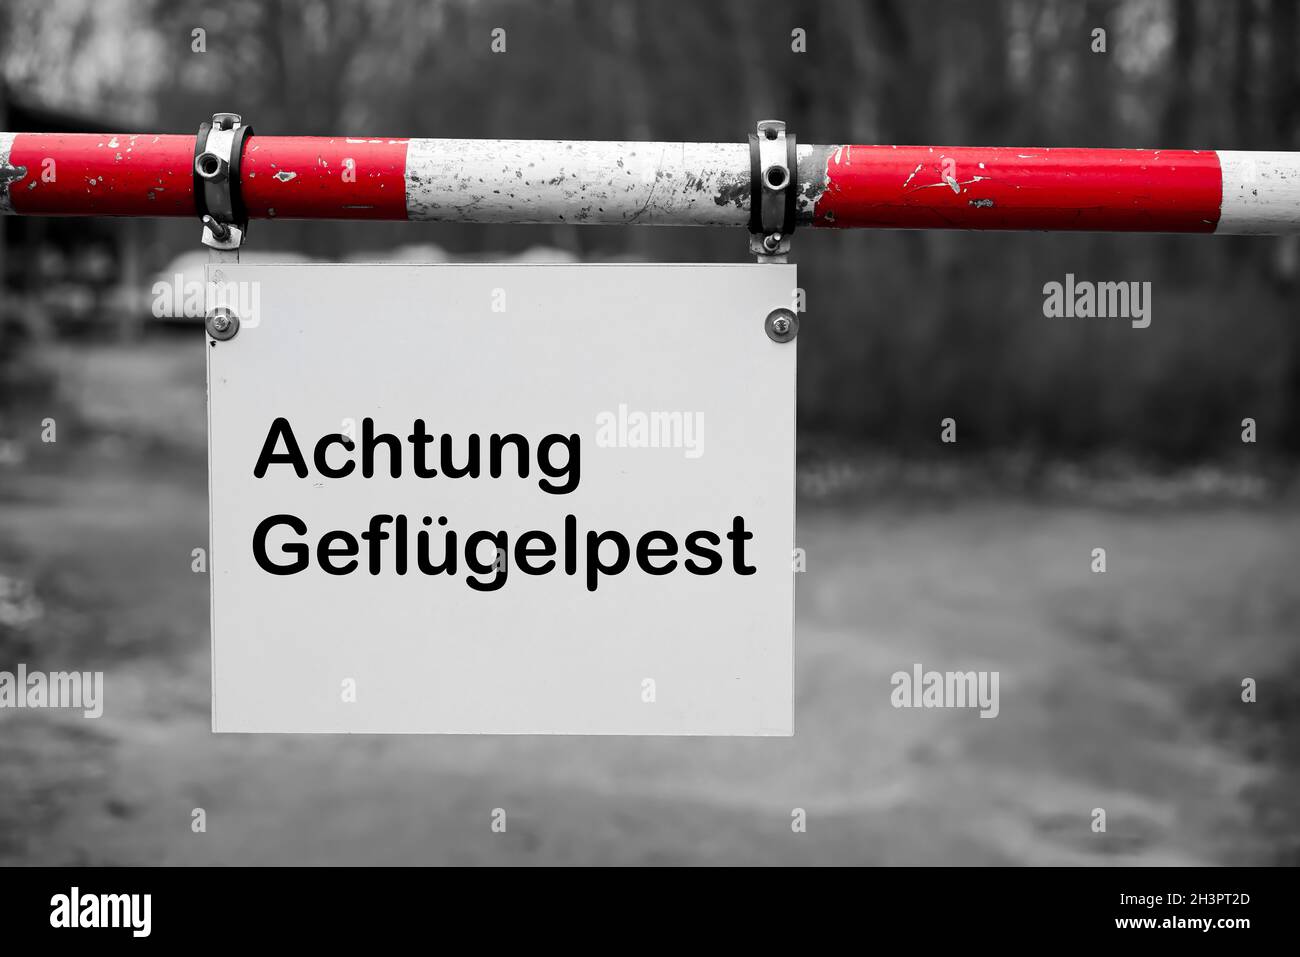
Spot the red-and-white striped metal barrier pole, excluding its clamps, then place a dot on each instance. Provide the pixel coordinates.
(661, 184)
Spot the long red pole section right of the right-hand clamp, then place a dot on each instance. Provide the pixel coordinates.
(1008, 188)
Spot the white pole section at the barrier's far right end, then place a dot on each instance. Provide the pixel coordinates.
(1262, 193)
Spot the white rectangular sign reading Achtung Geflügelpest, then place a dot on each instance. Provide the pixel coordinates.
(502, 499)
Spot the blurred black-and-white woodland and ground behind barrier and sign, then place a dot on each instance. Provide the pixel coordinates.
(1120, 691)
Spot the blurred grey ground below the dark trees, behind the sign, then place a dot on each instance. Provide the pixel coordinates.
(1119, 691)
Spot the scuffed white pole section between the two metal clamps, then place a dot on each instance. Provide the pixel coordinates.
(573, 181)
